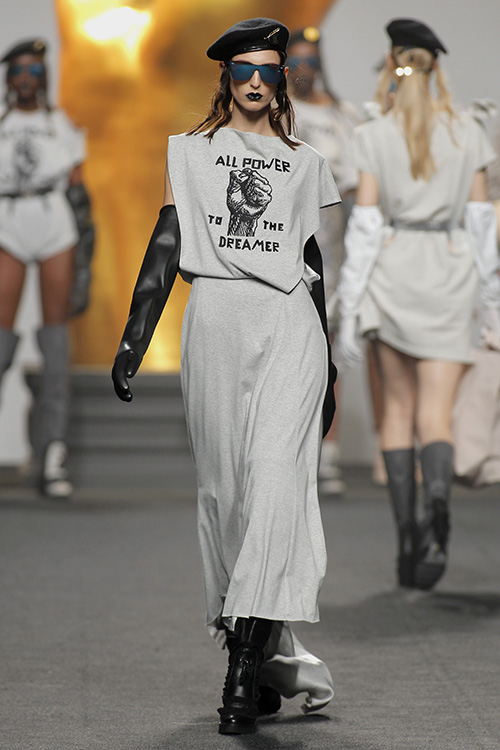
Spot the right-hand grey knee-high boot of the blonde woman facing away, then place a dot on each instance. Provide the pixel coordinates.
(436, 460)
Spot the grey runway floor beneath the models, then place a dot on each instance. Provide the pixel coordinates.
(103, 643)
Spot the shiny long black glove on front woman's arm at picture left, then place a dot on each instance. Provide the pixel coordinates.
(154, 283)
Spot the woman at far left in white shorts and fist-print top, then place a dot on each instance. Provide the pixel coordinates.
(44, 217)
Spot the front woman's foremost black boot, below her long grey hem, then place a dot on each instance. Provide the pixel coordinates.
(246, 643)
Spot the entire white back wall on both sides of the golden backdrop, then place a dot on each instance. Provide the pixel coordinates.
(354, 42)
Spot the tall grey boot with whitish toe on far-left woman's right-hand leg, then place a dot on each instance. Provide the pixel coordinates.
(50, 412)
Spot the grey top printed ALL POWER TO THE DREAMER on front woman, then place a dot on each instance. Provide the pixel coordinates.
(247, 204)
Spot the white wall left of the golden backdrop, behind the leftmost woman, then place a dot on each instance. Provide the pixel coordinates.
(23, 19)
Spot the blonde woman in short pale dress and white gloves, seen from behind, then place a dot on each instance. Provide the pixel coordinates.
(420, 241)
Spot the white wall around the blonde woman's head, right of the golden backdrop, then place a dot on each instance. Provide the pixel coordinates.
(355, 42)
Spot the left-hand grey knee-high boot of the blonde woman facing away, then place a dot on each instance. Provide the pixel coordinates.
(400, 465)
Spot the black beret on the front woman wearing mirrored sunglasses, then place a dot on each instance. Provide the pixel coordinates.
(250, 35)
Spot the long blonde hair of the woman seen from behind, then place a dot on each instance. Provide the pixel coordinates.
(414, 104)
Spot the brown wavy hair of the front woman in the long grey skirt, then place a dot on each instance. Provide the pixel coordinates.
(281, 116)
